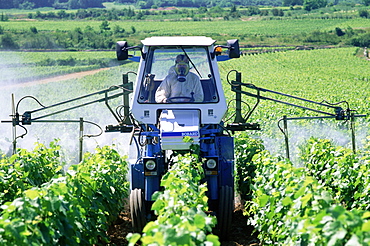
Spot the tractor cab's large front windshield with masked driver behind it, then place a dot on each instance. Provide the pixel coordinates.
(178, 75)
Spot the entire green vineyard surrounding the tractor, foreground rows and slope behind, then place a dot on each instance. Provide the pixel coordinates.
(319, 197)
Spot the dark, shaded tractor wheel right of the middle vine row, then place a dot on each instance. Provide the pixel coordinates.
(225, 213)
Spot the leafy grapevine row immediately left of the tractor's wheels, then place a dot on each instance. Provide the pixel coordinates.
(74, 209)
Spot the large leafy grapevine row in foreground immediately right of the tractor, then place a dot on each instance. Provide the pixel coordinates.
(291, 207)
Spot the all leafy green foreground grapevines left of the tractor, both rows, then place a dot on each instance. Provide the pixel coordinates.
(64, 208)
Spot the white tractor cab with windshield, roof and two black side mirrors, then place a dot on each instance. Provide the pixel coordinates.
(158, 64)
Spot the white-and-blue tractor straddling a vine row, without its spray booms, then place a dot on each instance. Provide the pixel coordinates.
(164, 124)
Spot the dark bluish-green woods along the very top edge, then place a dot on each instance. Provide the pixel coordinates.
(83, 4)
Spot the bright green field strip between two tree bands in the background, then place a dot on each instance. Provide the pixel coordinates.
(208, 28)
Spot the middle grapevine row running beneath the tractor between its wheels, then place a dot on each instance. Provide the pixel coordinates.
(180, 209)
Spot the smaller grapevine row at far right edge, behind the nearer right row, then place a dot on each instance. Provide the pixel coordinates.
(344, 174)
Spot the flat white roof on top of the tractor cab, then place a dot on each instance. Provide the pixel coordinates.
(179, 40)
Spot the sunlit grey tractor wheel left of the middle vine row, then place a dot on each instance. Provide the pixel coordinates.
(137, 209)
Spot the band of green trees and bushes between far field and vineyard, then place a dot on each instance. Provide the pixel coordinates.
(107, 34)
